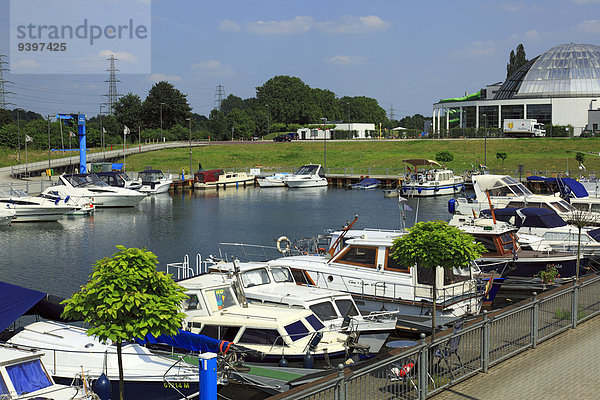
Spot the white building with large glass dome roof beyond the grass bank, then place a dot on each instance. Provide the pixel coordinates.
(558, 87)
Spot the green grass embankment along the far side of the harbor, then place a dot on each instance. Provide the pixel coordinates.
(536, 154)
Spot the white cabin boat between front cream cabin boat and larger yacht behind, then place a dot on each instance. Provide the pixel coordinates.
(275, 285)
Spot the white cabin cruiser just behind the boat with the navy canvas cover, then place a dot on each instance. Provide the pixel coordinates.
(503, 191)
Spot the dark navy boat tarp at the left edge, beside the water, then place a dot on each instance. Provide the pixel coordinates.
(16, 301)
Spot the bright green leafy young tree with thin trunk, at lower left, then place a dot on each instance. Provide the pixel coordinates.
(127, 298)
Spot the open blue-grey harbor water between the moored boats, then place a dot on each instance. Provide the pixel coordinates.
(58, 257)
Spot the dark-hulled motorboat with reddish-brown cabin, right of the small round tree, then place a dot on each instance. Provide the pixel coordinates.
(507, 257)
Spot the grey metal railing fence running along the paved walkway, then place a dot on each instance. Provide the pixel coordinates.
(456, 354)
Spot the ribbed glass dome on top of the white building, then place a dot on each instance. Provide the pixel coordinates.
(567, 70)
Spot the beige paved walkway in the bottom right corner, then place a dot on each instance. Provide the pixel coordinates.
(564, 367)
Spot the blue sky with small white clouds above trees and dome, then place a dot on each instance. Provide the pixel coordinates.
(405, 54)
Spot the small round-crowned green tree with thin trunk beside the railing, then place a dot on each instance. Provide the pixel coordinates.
(435, 244)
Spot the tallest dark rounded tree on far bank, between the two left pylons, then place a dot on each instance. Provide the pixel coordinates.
(175, 108)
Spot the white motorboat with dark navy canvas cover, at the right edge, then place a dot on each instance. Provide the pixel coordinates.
(554, 232)
